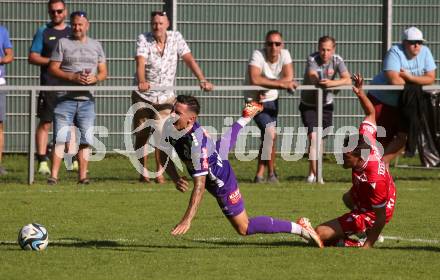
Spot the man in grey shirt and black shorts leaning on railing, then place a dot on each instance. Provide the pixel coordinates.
(321, 70)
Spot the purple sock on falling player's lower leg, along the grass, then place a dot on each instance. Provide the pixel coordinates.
(264, 224)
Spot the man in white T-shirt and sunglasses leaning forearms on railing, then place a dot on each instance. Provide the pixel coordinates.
(270, 67)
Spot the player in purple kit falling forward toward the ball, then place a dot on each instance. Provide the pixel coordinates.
(207, 163)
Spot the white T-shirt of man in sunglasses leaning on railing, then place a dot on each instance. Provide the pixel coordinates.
(268, 70)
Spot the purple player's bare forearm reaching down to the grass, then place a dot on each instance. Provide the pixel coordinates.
(194, 202)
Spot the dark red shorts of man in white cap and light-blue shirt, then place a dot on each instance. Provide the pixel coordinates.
(388, 117)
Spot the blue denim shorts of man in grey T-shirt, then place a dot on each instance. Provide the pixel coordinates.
(79, 113)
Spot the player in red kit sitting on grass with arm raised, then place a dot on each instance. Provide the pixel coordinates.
(372, 197)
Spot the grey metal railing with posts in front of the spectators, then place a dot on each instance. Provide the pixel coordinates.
(34, 89)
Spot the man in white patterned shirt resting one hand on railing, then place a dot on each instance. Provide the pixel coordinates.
(157, 55)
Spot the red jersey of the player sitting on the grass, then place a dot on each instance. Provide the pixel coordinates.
(373, 186)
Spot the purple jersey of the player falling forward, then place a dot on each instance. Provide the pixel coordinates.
(201, 157)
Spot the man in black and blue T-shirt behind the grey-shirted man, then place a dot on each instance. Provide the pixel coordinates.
(43, 43)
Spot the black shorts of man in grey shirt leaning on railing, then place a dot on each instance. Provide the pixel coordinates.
(309, 116)
